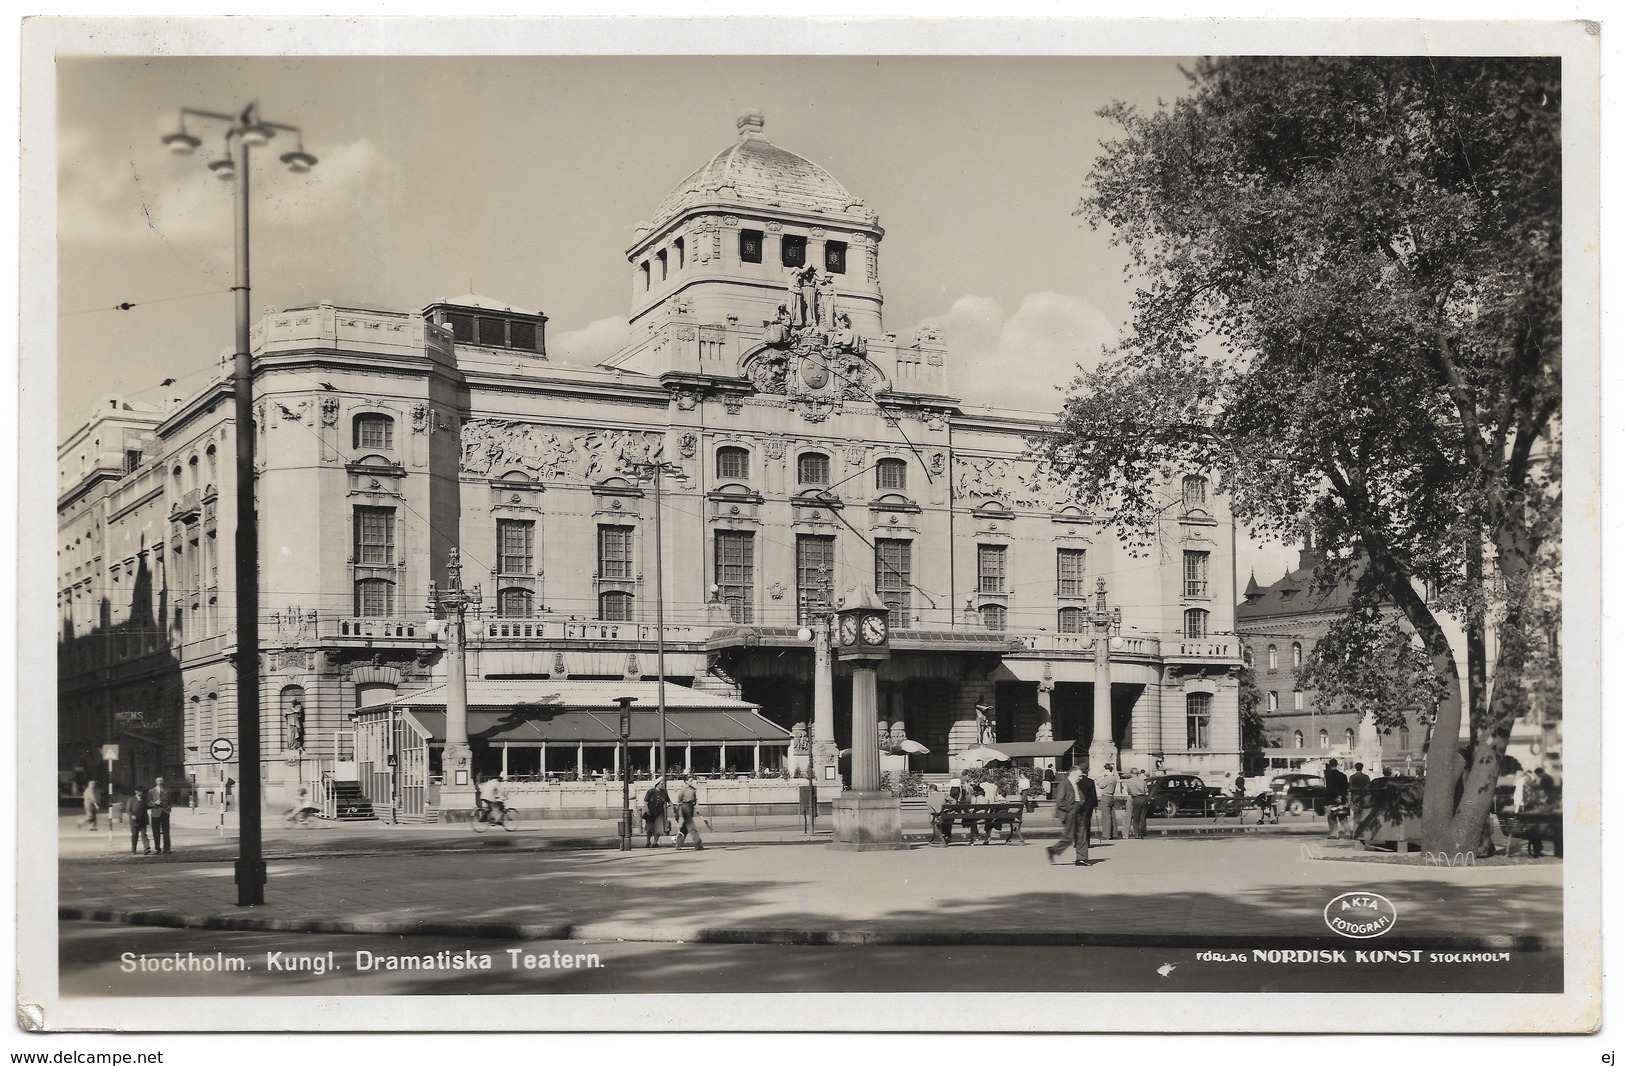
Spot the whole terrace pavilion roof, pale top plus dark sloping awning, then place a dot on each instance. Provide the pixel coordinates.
(532, 714)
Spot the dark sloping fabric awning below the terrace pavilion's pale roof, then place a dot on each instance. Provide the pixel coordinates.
(604, 729)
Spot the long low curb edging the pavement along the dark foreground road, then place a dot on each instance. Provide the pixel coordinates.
(797, 938)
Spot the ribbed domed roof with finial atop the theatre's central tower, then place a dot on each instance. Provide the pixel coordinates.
(755, 170)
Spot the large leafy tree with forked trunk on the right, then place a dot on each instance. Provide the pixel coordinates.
(1350, 308)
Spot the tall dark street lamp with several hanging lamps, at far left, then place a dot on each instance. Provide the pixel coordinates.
(245, 132)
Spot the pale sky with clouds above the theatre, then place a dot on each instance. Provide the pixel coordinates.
(522, 180)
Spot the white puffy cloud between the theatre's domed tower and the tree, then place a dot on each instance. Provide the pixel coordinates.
(1021, 360)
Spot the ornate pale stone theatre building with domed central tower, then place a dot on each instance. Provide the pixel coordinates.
(802, 451)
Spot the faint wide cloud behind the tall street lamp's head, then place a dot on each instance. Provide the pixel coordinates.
(119, 199)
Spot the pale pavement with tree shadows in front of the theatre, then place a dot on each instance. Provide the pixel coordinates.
(753, 886)
